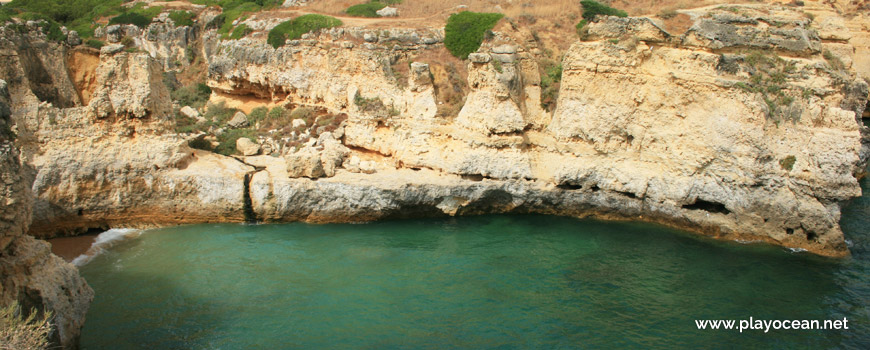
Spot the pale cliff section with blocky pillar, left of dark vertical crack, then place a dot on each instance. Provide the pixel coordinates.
(116, 161)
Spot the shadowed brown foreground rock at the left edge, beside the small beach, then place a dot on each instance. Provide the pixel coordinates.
(29, 273)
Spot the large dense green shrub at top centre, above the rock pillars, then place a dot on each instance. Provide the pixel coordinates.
(465, 31)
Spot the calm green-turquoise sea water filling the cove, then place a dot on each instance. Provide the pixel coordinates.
(506, 282)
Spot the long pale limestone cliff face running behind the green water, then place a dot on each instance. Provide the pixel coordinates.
(744, 127)
